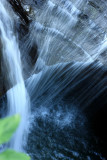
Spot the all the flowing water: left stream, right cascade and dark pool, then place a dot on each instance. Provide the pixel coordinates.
(67, 83)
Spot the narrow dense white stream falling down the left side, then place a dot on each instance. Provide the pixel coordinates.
(17, 97)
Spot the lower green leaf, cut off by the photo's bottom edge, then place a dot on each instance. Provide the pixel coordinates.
(12, 155)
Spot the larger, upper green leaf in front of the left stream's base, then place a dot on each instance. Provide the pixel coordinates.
(7, 127)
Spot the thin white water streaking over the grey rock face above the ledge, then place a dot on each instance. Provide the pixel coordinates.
(61, 35)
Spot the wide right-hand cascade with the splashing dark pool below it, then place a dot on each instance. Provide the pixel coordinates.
(70, 81)
